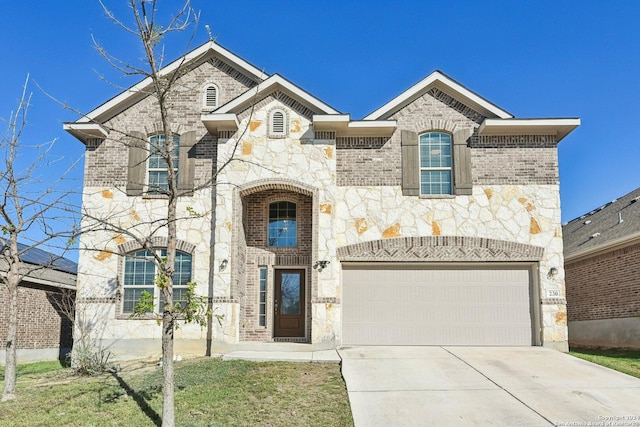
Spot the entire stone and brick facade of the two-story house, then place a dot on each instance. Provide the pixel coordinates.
(345, 178)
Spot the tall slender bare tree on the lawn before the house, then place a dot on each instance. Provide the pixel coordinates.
(163, 84)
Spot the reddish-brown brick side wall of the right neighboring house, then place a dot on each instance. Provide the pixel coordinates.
(605, 286)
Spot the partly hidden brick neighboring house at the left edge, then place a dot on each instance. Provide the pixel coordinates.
(45, 331)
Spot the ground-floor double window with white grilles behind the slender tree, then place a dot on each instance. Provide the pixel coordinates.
(140, 275)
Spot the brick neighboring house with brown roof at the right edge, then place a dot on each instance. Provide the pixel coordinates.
(602, 273)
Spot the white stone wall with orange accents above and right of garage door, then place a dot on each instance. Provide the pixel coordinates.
(520, 215)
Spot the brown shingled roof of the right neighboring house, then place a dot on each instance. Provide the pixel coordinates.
(613, 224)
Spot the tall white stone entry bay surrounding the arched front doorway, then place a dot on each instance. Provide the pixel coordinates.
(291, 166)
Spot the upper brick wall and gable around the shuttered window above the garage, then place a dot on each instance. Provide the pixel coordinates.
(496, 160)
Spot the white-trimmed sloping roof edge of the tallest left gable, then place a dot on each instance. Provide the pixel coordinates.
(137, 92)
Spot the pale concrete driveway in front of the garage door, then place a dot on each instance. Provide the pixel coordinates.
(514, 386)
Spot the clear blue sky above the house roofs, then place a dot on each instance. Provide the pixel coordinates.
(534, 59)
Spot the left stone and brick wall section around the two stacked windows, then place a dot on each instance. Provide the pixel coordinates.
(104, 195)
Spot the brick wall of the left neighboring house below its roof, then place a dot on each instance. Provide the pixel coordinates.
(44, 331)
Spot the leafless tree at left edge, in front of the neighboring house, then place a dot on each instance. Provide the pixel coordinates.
(31, 202)
